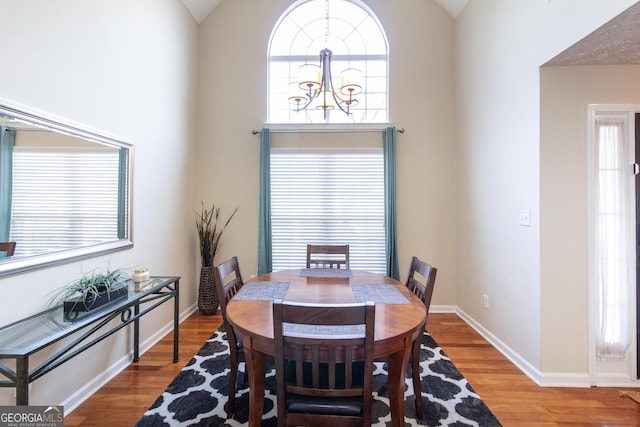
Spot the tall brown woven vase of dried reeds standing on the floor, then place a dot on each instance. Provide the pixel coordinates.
(209, 233)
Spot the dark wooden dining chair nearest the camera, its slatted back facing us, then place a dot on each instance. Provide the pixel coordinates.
(324, 363)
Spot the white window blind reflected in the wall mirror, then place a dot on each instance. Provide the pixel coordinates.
(63, 198)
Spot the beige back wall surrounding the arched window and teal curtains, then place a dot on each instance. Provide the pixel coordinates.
(421, 86)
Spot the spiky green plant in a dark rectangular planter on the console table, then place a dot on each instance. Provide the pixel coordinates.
(91, 291)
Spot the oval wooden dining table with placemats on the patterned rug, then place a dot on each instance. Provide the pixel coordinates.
(397, 325)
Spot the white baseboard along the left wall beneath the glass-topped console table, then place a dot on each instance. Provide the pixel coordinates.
(84, 393)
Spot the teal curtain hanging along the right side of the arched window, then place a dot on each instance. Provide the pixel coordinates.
(390, 214)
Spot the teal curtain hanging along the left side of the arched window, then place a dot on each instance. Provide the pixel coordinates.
(264, 227)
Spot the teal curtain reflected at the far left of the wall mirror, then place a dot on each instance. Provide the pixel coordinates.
(7, 139)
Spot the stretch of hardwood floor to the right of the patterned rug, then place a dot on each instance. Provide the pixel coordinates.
(513, 397)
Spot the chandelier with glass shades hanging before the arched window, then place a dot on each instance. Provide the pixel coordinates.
(315, 88)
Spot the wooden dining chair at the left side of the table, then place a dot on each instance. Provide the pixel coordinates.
(228, 282)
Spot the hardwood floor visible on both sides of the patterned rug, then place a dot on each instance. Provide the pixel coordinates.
(510, 394)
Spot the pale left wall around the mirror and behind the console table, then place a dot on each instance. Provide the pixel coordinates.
(129, 69)
